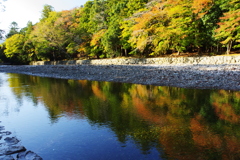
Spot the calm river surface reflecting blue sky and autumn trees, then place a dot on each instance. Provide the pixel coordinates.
(70, 119)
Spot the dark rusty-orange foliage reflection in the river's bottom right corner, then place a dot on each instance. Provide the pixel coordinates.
(227, 145)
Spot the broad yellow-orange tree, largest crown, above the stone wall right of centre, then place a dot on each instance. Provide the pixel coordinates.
(167, 25)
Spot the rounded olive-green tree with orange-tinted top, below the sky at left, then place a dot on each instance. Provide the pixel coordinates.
(57, 37)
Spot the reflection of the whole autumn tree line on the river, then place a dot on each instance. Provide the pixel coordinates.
(180, 123)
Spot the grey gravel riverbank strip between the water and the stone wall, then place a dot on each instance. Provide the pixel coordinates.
(187, 76)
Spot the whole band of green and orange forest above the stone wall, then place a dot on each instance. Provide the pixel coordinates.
(120, 28)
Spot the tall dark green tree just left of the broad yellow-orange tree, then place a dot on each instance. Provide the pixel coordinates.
(113, 42)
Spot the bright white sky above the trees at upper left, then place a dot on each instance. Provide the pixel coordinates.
(22, 11)
